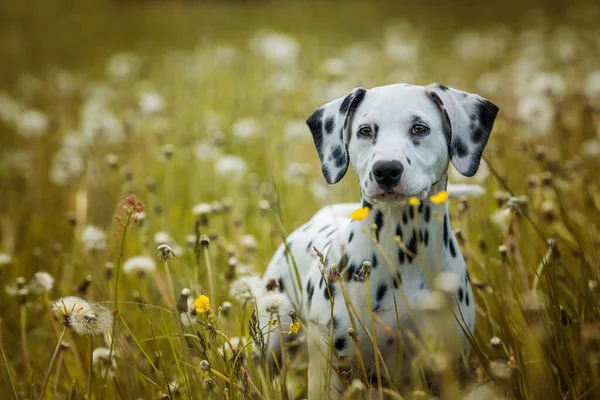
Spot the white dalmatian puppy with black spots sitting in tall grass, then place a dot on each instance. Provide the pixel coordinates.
(400, 140)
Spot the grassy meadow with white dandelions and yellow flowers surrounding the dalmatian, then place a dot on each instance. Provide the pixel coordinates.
(153, 155)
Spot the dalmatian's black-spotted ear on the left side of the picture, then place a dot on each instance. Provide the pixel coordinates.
(329, 126)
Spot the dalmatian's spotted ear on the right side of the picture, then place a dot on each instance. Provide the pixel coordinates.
(469, 119)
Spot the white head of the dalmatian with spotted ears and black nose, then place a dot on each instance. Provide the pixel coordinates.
(400, 138)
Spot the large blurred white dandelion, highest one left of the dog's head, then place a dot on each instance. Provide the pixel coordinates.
(277, 48)
